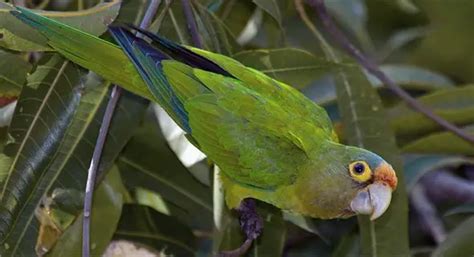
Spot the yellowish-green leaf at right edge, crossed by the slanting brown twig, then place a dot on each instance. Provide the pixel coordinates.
(454, 104)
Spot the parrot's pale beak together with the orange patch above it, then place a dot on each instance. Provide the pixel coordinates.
(375, 198)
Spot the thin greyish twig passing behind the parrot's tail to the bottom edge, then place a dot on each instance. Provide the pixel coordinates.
(92, 172)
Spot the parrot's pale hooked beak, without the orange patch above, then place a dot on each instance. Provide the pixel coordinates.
(373, 200)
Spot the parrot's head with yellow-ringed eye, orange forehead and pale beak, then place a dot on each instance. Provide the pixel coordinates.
(356, 181)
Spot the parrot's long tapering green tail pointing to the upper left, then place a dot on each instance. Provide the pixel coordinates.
(89, 51)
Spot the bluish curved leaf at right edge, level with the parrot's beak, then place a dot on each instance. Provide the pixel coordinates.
(417, 167)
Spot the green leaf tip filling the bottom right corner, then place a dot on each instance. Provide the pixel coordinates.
(458, 242)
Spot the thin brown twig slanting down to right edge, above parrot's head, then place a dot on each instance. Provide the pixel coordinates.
(372, 68)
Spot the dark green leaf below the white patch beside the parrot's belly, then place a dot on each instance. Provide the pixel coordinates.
(148, 162)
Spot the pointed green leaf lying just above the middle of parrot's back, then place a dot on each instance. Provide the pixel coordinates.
(296, 67)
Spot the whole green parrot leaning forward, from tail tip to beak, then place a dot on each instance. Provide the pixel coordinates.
(271, 142)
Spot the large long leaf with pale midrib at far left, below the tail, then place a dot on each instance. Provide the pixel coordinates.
(40, 122)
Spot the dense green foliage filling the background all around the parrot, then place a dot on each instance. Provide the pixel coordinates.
(149, 196)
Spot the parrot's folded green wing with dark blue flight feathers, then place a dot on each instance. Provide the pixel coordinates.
(258, 131)
